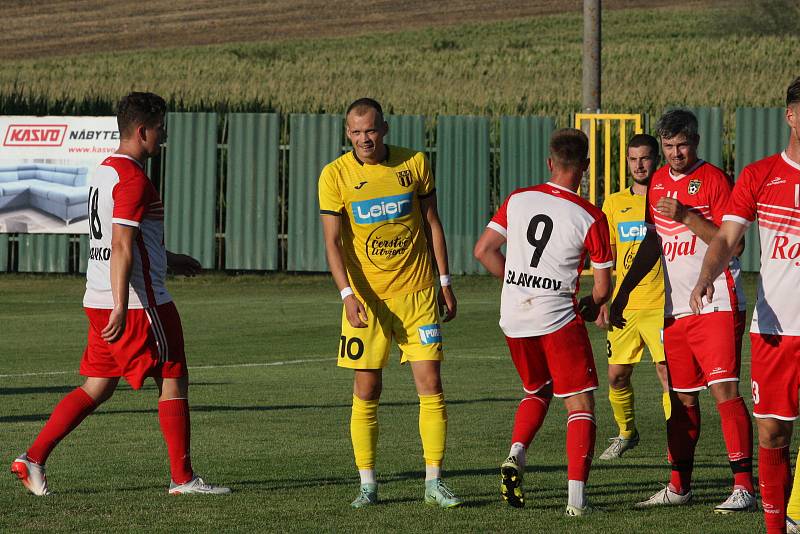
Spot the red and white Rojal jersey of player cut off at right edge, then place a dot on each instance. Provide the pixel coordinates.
(770, 190)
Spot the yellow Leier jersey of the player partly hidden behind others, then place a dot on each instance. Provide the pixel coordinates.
(625, 214)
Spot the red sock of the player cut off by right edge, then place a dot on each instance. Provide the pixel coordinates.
(775, 481)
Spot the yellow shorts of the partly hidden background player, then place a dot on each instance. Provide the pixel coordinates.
(643, 327)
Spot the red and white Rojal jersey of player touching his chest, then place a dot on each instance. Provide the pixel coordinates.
(704, 189)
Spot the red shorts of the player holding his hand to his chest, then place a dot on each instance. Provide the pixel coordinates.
(702, 350)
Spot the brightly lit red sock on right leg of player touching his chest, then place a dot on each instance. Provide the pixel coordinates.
(738, 434)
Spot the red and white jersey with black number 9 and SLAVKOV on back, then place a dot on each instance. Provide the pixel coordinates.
(549, 230)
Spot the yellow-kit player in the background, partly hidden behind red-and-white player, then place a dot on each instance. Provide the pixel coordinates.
(645, 311)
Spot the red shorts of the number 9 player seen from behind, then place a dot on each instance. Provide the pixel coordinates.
(563, 358)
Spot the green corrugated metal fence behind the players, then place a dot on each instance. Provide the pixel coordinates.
(242, 195)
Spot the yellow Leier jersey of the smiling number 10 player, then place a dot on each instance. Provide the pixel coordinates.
(383, 238)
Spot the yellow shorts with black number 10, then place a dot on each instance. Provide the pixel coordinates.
(411, 319)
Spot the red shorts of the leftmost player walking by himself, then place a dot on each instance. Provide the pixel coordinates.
(151, 345)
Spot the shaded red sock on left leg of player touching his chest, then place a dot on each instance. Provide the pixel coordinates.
(683, 431)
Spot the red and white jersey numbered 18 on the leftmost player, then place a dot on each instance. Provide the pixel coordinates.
(121, 193)
